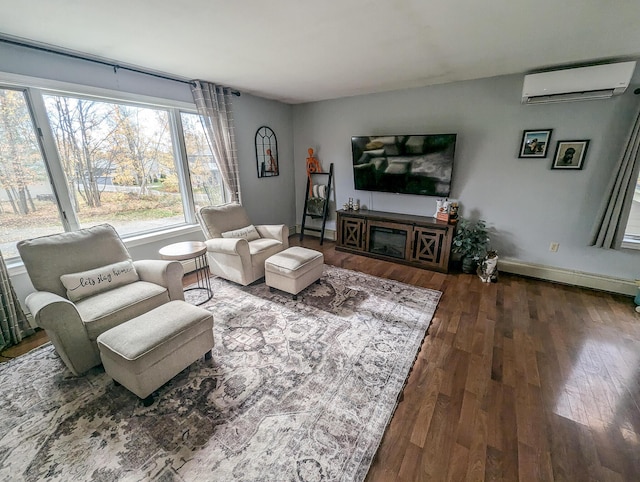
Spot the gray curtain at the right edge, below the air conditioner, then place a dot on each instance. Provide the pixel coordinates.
(612, 218)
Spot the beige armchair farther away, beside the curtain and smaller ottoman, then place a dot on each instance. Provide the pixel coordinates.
(236, 249)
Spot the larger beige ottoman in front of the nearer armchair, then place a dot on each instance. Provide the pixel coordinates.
(146, 352)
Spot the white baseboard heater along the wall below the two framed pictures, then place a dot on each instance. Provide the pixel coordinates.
(570, 277)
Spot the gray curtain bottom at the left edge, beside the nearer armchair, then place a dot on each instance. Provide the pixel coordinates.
(13, 322)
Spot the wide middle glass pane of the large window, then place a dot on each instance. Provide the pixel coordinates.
(119, 163)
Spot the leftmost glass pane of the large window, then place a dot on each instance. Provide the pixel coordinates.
(27, 202)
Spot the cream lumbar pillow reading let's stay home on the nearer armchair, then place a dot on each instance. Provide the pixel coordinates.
(94, 281)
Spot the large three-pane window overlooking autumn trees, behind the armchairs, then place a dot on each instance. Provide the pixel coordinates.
(70, 161)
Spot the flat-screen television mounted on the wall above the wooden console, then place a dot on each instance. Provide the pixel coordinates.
(409, 164)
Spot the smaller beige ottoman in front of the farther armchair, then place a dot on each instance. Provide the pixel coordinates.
(293, 269)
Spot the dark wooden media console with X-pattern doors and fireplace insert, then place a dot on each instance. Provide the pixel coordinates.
(419, 241)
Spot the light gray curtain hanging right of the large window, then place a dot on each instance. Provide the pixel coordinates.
(214, 106)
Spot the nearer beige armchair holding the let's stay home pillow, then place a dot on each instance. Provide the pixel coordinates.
(86, 283)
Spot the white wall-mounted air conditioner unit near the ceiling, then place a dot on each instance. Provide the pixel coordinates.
(581, 83)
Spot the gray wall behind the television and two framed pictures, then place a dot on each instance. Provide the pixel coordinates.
(527, 204)
